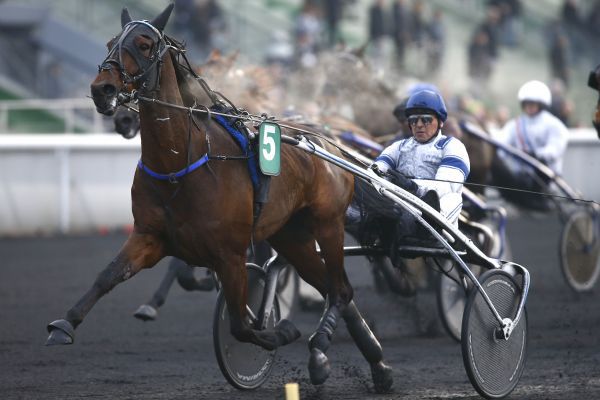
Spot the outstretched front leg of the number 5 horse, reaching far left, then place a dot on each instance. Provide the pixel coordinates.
(139, 251)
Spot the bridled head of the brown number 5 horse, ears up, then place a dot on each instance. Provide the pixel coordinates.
(133, 62)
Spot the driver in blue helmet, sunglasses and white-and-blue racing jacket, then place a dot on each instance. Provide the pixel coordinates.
(429, 163)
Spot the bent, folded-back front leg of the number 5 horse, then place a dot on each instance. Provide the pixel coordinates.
(233, 276)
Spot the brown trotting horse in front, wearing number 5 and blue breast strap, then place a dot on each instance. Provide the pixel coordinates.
(204, 215)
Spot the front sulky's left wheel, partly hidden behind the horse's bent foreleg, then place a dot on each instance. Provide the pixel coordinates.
(245, 365)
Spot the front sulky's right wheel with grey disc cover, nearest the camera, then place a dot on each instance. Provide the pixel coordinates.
(494, 365)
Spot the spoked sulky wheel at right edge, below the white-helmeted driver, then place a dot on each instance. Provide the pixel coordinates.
(580, 250)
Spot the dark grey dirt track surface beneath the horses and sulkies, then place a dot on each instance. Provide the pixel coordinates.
(117, 356)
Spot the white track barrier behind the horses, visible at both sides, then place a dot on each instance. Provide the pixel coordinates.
(76, 183)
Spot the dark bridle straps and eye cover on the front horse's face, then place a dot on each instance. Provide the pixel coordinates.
(149, 68)
